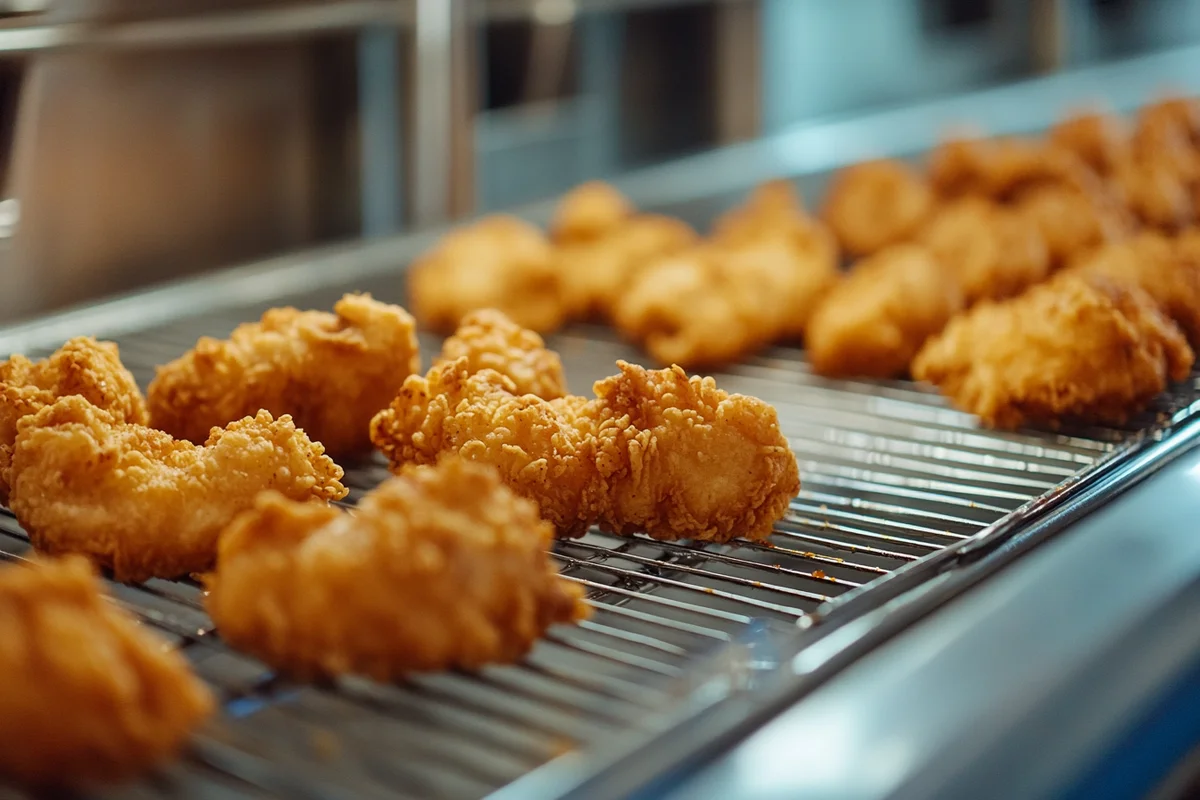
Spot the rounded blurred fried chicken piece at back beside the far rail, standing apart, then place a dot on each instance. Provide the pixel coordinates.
(875, 204)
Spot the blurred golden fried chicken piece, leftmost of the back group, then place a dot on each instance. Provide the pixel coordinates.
(500, 262)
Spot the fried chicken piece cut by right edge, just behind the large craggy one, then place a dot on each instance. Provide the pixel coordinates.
(1169, 274)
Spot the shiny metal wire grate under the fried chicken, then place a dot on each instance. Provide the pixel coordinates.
(891, 474)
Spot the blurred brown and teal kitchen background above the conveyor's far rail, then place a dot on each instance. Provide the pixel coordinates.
(147, 140)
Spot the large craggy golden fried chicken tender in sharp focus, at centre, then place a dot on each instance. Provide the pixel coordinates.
(656, 452)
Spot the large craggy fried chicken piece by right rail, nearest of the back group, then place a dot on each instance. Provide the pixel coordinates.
(1073, 350)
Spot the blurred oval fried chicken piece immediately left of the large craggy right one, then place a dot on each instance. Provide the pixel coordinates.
(877, 320)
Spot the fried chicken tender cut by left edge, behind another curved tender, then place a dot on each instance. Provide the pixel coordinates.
(83, 366)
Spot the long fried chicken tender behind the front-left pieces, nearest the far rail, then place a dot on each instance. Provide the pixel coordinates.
(331, 372)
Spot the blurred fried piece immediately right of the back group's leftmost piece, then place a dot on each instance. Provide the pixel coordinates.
(597, 273)
